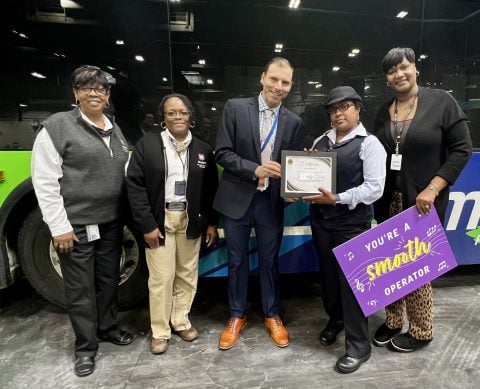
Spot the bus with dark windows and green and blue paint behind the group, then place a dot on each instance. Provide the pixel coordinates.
(213, 50)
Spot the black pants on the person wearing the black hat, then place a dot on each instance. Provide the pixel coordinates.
(338, 299)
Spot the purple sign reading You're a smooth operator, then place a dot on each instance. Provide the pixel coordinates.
(395, 258)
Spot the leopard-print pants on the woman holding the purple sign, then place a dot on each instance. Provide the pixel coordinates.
(417, 304)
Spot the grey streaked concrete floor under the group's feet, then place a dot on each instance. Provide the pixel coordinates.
(36, 345)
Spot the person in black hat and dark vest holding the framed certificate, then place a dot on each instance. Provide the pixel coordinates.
(338, 217)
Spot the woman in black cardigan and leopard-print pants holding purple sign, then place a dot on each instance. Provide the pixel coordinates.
(427, 140)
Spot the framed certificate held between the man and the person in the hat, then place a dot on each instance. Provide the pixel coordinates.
(303, 173)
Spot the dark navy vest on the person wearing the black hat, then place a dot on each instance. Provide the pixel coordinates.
(349, 175)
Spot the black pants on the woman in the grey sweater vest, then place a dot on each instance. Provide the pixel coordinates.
(91, 276)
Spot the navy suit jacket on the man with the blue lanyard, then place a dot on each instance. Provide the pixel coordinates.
(238, 152)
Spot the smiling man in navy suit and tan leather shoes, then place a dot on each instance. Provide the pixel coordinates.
(254, 130)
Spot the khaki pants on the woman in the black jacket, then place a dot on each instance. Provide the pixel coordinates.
(172, 282)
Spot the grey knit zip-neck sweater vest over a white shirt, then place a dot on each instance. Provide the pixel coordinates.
(93, 176)
